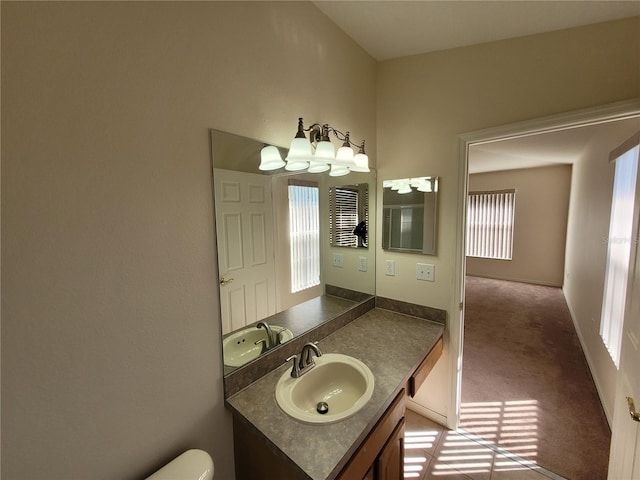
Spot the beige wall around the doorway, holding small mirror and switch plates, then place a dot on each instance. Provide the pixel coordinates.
(426, 101)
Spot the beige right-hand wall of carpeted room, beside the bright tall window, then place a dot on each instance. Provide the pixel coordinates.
(586, 257)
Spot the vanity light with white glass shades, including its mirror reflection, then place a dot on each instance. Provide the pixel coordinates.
(302, 155)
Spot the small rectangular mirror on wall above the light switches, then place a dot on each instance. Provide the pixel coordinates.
(409, 208)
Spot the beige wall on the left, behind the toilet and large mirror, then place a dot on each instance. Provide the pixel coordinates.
(110, 338)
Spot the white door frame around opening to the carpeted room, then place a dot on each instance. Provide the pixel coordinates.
(579, 118)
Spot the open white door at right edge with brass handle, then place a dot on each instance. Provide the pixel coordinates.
(624, 461)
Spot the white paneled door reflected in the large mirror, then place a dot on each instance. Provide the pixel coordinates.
(244, 224)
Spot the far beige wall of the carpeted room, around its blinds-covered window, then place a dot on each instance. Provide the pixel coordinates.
(540, 224)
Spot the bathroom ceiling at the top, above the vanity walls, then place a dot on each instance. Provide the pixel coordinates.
(390, 29)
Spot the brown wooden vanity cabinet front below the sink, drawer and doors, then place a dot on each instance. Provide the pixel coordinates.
(381, 455)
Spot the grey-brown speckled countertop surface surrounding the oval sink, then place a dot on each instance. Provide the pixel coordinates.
(390, 344)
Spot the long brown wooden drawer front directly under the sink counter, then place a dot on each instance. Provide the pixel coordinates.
(366, 455)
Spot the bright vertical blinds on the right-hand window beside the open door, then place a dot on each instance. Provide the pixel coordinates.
(619, 252)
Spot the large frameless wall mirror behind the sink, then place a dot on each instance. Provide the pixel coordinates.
(268, 295)
